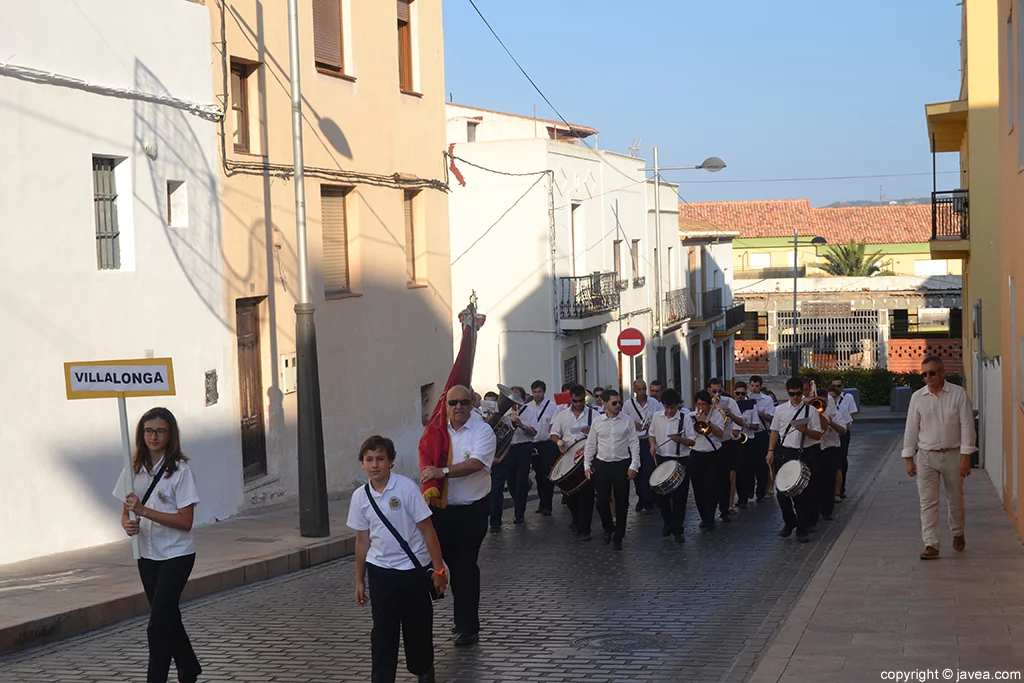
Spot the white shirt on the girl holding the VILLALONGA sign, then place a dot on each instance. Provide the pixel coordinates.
(157, 542)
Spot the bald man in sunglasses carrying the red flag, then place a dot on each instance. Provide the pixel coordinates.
(462, 525)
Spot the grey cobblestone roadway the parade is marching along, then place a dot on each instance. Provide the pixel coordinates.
(553, 609)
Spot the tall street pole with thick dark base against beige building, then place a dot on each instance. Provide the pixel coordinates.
(314, 518)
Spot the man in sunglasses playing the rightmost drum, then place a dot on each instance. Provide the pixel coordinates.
(796, 433)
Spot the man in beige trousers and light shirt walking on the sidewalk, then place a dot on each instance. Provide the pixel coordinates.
(941, 435)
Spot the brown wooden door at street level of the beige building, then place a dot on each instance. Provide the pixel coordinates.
(251, 390)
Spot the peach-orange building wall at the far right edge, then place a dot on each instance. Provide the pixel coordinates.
(1010, 26)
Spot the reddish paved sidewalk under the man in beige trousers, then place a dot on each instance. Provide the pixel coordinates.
(874, 607)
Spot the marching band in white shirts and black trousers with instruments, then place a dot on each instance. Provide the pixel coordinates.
(732, 450)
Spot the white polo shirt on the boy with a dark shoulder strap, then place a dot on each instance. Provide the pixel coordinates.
(403, 504)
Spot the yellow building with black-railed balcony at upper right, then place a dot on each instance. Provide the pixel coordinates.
(966, 218)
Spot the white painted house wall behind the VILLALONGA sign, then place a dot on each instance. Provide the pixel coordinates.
(58, 307)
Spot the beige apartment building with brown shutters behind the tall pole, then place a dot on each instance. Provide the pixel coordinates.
(373, 103)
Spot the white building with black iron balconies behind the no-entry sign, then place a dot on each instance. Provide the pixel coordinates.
(561, 243)
